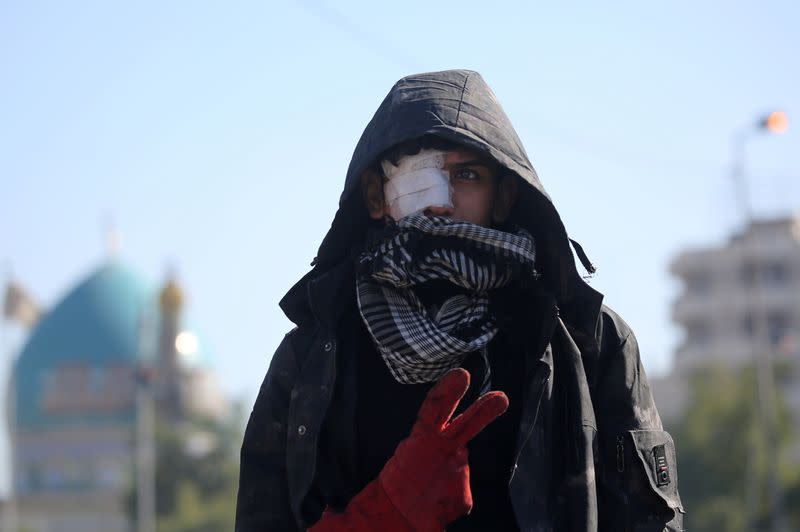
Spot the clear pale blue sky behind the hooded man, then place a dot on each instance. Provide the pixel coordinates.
(216, 136)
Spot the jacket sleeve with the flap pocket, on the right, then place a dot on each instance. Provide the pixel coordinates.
(637, 478)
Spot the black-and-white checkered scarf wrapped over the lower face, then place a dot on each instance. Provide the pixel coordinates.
(420, 344)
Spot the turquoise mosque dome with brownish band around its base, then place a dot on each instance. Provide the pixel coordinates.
(87, 345)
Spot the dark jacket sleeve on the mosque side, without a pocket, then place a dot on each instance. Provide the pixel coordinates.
(263, 500)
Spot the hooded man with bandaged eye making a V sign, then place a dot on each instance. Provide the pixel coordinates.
(446, 253)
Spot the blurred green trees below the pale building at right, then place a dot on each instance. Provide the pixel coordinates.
(722, 454)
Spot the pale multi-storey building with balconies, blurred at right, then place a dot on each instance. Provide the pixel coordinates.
(737, 301)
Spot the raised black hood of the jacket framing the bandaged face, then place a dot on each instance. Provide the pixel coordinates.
(459, 106)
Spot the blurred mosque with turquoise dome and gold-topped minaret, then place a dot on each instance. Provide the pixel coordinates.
(91, 364)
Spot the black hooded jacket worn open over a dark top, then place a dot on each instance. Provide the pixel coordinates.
(585, 403)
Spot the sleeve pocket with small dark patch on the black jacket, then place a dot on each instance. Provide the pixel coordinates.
(655, 472)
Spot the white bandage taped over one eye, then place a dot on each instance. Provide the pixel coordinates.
(417, 182)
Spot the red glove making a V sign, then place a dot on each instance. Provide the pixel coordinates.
(425, 485)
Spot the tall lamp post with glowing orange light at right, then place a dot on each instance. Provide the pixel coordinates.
(775, 122)
